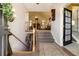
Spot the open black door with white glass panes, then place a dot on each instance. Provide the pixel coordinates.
(67, 27)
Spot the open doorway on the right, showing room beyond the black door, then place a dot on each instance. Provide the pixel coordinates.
(74, 46)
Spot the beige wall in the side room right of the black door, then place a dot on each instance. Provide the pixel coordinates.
(74, 18)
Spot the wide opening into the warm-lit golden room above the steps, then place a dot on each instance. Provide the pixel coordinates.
(41, 20)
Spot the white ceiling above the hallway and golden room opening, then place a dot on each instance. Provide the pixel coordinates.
(42, 6)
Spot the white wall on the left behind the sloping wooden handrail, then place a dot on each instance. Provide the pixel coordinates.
(18, 27)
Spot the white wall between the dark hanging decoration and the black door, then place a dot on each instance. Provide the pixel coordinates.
(57, 26)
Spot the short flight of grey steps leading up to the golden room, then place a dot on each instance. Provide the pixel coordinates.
(45, 37)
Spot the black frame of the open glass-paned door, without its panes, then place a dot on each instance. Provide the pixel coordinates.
(70, 41)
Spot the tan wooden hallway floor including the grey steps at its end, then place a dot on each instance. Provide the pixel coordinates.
(45, 46)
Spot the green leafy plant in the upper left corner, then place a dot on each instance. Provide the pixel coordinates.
(7, 13)
